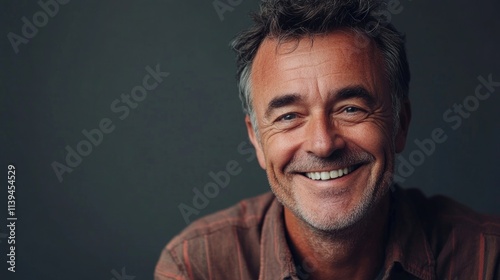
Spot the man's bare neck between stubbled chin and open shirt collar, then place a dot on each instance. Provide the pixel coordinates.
(353, 253)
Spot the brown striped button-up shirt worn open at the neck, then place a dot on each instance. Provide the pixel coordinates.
(429, 238)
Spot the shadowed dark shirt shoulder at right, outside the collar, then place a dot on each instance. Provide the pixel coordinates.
(463, 241)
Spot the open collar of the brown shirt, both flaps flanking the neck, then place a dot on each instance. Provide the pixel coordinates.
(407, 243)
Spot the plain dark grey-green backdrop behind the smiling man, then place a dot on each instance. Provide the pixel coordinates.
(119, 207)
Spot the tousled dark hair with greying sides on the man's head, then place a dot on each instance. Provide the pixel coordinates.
(286, 20)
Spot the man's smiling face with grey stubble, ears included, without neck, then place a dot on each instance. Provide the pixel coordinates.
(325, 122)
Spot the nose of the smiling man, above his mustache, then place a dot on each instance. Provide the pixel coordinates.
(322, 137)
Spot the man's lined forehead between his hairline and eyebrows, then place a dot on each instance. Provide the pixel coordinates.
(316, 64)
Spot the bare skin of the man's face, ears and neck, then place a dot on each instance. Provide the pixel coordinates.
(322, 105)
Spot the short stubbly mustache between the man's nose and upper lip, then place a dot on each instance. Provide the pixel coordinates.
(338, 159)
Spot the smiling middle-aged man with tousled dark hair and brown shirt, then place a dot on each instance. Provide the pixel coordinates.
(324, 85)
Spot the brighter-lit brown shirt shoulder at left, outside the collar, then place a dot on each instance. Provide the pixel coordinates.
(214, 239)
